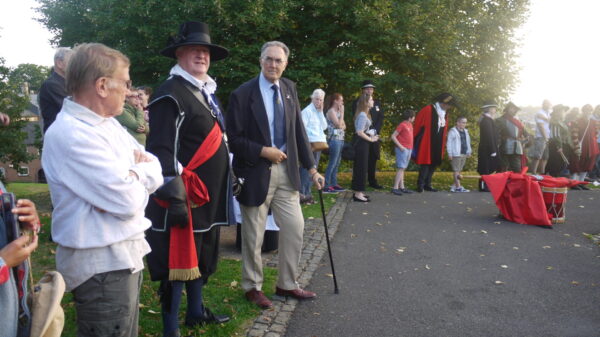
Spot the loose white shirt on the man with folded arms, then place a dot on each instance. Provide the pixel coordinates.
(98, 219)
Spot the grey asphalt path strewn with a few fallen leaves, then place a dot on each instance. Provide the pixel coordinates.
(442, 264)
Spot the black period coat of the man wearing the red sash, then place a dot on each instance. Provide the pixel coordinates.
(172, 101)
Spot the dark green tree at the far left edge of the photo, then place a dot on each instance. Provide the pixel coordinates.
(12, 137)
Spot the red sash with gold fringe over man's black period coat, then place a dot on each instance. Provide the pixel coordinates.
(183, 259)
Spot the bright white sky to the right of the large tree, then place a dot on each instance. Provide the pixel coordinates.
(560, 52)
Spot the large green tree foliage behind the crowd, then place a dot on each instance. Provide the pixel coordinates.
(413, 49)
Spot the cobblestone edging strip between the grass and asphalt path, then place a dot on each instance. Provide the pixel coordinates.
(273, 322)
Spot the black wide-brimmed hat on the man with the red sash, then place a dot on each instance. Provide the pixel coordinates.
(194, 33)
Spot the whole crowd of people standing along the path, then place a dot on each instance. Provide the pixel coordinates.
(136, 174)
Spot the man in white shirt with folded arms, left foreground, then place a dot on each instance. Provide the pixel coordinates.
(100, 179)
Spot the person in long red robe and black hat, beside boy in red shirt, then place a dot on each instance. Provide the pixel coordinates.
(430, 128)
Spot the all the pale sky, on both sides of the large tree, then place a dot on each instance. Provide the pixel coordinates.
(559, 52)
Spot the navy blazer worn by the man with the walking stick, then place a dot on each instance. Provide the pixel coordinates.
(248, 132)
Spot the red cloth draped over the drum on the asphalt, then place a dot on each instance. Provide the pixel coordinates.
(519, 196)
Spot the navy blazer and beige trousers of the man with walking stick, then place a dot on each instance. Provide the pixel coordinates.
(267, 185)
